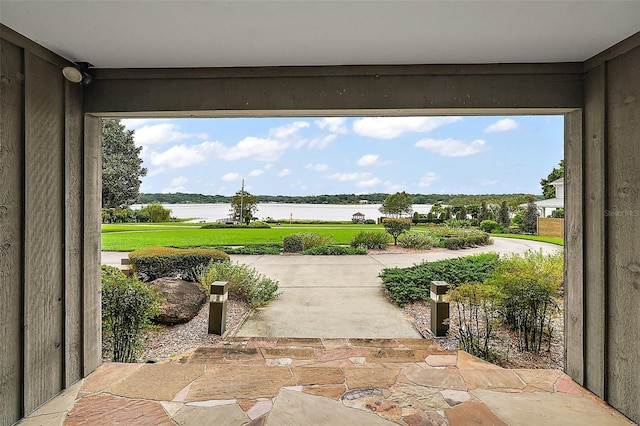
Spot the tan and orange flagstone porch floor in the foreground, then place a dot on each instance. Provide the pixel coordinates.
(299, 381)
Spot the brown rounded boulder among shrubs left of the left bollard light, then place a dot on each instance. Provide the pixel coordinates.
(182, 300)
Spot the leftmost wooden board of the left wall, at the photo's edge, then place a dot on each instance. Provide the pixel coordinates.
(11, 236)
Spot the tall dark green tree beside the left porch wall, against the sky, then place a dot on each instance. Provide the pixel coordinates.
(121, 166)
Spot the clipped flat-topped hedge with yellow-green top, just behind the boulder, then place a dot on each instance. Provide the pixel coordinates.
(156, 262)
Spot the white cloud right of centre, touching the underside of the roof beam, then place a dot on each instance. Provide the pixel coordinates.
(392, 127)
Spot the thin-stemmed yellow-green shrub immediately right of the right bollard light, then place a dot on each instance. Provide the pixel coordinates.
(477, 311)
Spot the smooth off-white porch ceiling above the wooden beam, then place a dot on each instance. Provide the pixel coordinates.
(213, 33)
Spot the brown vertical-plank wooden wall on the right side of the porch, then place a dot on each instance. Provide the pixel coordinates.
(603, 296)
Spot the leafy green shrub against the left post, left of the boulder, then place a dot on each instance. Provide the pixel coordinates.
(127, 309)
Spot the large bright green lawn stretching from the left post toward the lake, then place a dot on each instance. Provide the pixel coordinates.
(128, 237)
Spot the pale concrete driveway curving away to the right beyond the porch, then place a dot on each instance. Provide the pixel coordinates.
(340, 296)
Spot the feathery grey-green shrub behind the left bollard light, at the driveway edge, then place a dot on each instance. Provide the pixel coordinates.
(244, 282)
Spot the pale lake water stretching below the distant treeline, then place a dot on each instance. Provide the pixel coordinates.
(284, 212)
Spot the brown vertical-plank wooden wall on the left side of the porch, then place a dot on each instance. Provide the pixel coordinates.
(47, 328)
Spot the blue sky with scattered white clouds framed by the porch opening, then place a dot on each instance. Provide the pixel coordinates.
(312, 156)
